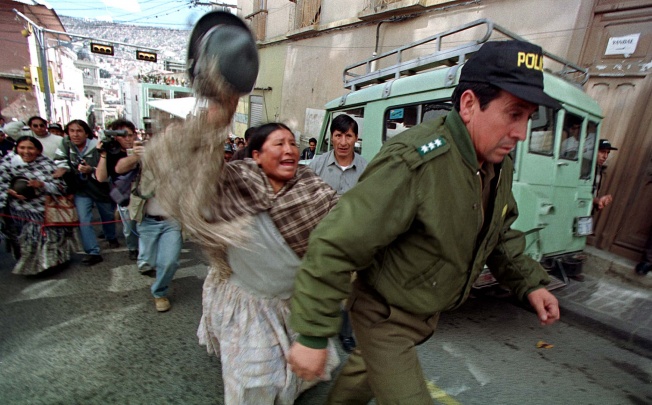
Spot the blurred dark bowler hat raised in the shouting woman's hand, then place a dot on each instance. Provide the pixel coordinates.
(227, 37)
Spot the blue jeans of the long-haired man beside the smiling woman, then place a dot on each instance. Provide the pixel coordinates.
(85, 211)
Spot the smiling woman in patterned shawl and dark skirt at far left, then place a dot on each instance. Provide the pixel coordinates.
(25, 180)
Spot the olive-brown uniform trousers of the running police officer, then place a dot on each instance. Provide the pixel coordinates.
(385, 365)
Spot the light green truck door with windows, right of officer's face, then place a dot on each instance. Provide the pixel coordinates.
(553, 181)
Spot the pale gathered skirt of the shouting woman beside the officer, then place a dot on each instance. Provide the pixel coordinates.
(253, 337)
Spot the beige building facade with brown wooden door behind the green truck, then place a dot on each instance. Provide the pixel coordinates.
(304, 46)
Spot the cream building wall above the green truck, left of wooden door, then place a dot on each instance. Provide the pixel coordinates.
(312, 74)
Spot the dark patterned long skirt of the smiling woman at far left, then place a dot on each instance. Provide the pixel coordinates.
(39, 248)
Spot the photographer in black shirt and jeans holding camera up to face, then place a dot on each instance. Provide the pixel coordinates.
(120, 168)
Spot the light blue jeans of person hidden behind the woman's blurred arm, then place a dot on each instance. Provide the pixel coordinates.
(159, 248)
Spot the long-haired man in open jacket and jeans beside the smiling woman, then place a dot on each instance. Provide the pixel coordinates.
(76, 160)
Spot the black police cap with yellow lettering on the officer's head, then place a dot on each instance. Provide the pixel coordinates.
(513, 66)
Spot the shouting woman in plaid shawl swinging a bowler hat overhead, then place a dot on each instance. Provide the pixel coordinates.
(253, 217)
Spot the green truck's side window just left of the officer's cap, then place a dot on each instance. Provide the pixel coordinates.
(399, 119)
